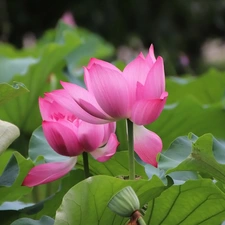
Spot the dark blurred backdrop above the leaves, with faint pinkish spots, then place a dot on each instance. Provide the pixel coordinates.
(188, 34)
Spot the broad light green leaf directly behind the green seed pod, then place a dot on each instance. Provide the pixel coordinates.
(91, 206)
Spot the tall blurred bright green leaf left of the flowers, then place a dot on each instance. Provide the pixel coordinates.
(38, 79)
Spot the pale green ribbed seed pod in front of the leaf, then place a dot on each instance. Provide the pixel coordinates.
(124, 202)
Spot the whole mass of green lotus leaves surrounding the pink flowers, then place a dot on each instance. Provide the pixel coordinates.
(188, 184)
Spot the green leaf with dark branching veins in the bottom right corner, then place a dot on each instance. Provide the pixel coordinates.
(195, 202)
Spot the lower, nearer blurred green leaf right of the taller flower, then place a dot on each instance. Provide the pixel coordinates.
(189, 116)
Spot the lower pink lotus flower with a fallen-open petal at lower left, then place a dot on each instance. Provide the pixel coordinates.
(69, 136)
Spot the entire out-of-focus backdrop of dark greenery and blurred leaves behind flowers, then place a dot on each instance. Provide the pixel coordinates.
(188, 34)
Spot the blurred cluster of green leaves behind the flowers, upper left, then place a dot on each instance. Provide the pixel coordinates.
(40, 70)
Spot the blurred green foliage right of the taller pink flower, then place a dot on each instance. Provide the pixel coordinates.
(195, 104)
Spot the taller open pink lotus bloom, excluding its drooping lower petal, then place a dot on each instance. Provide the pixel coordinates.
(138, 93)
